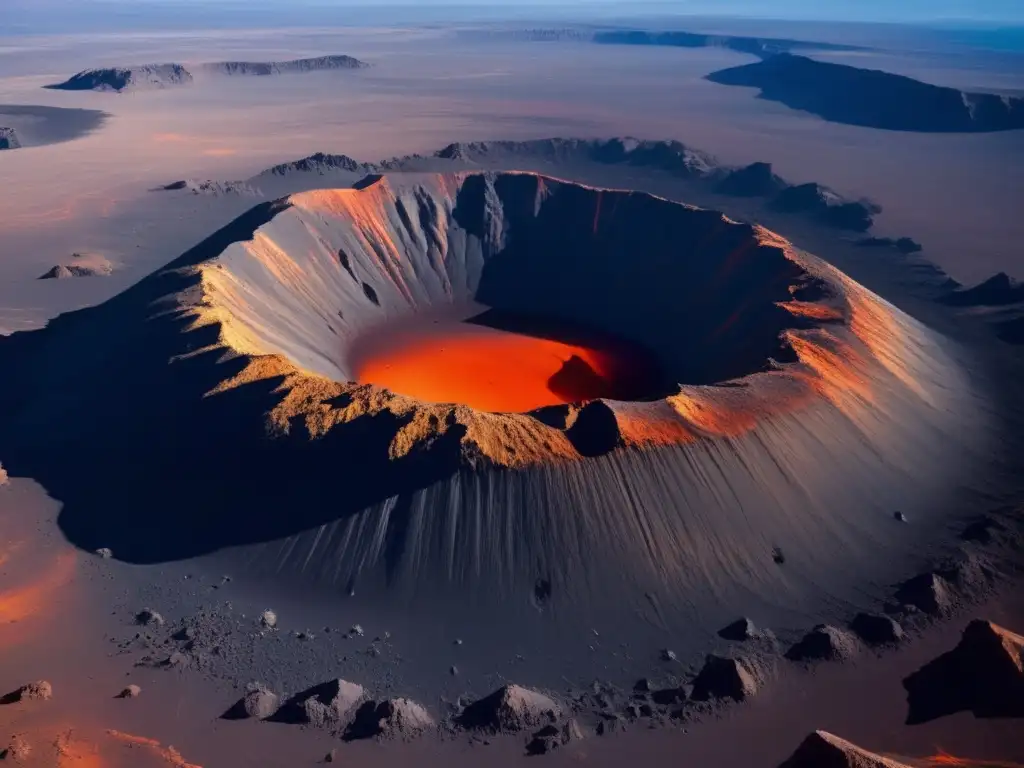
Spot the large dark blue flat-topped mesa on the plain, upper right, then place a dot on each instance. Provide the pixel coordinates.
(874, 99)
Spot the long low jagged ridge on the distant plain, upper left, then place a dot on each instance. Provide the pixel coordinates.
(167, 75)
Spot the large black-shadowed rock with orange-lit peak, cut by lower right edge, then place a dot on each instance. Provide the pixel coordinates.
(985, 674)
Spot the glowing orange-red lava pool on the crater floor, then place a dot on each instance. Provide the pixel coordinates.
(493, 370)
